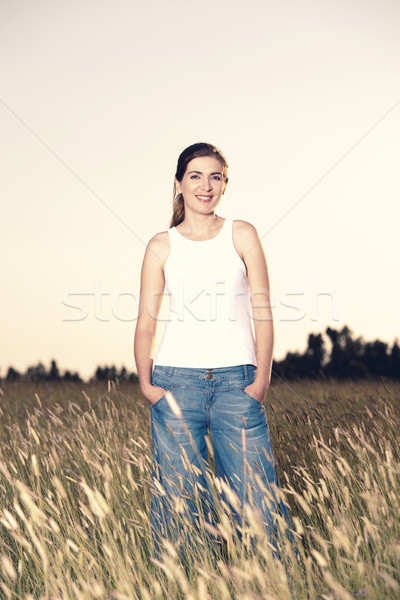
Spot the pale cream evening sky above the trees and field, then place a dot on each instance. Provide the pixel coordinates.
(98, 99)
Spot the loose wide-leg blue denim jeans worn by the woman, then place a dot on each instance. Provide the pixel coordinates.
(214, 401)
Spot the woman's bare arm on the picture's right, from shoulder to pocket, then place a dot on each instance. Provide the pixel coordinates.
(249, 248)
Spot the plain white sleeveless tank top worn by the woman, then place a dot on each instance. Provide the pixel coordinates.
(209, 324)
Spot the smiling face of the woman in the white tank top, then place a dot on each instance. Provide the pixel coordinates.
(202, 185)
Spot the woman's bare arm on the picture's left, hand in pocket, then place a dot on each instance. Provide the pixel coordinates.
(151, 290)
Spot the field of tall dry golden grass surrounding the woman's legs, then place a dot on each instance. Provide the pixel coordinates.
(75, 485)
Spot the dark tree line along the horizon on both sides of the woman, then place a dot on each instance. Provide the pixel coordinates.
(347, 357)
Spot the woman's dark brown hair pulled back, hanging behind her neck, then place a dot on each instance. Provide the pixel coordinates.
(191, 152)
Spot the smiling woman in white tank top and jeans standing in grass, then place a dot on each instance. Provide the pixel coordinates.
(210, 372)
